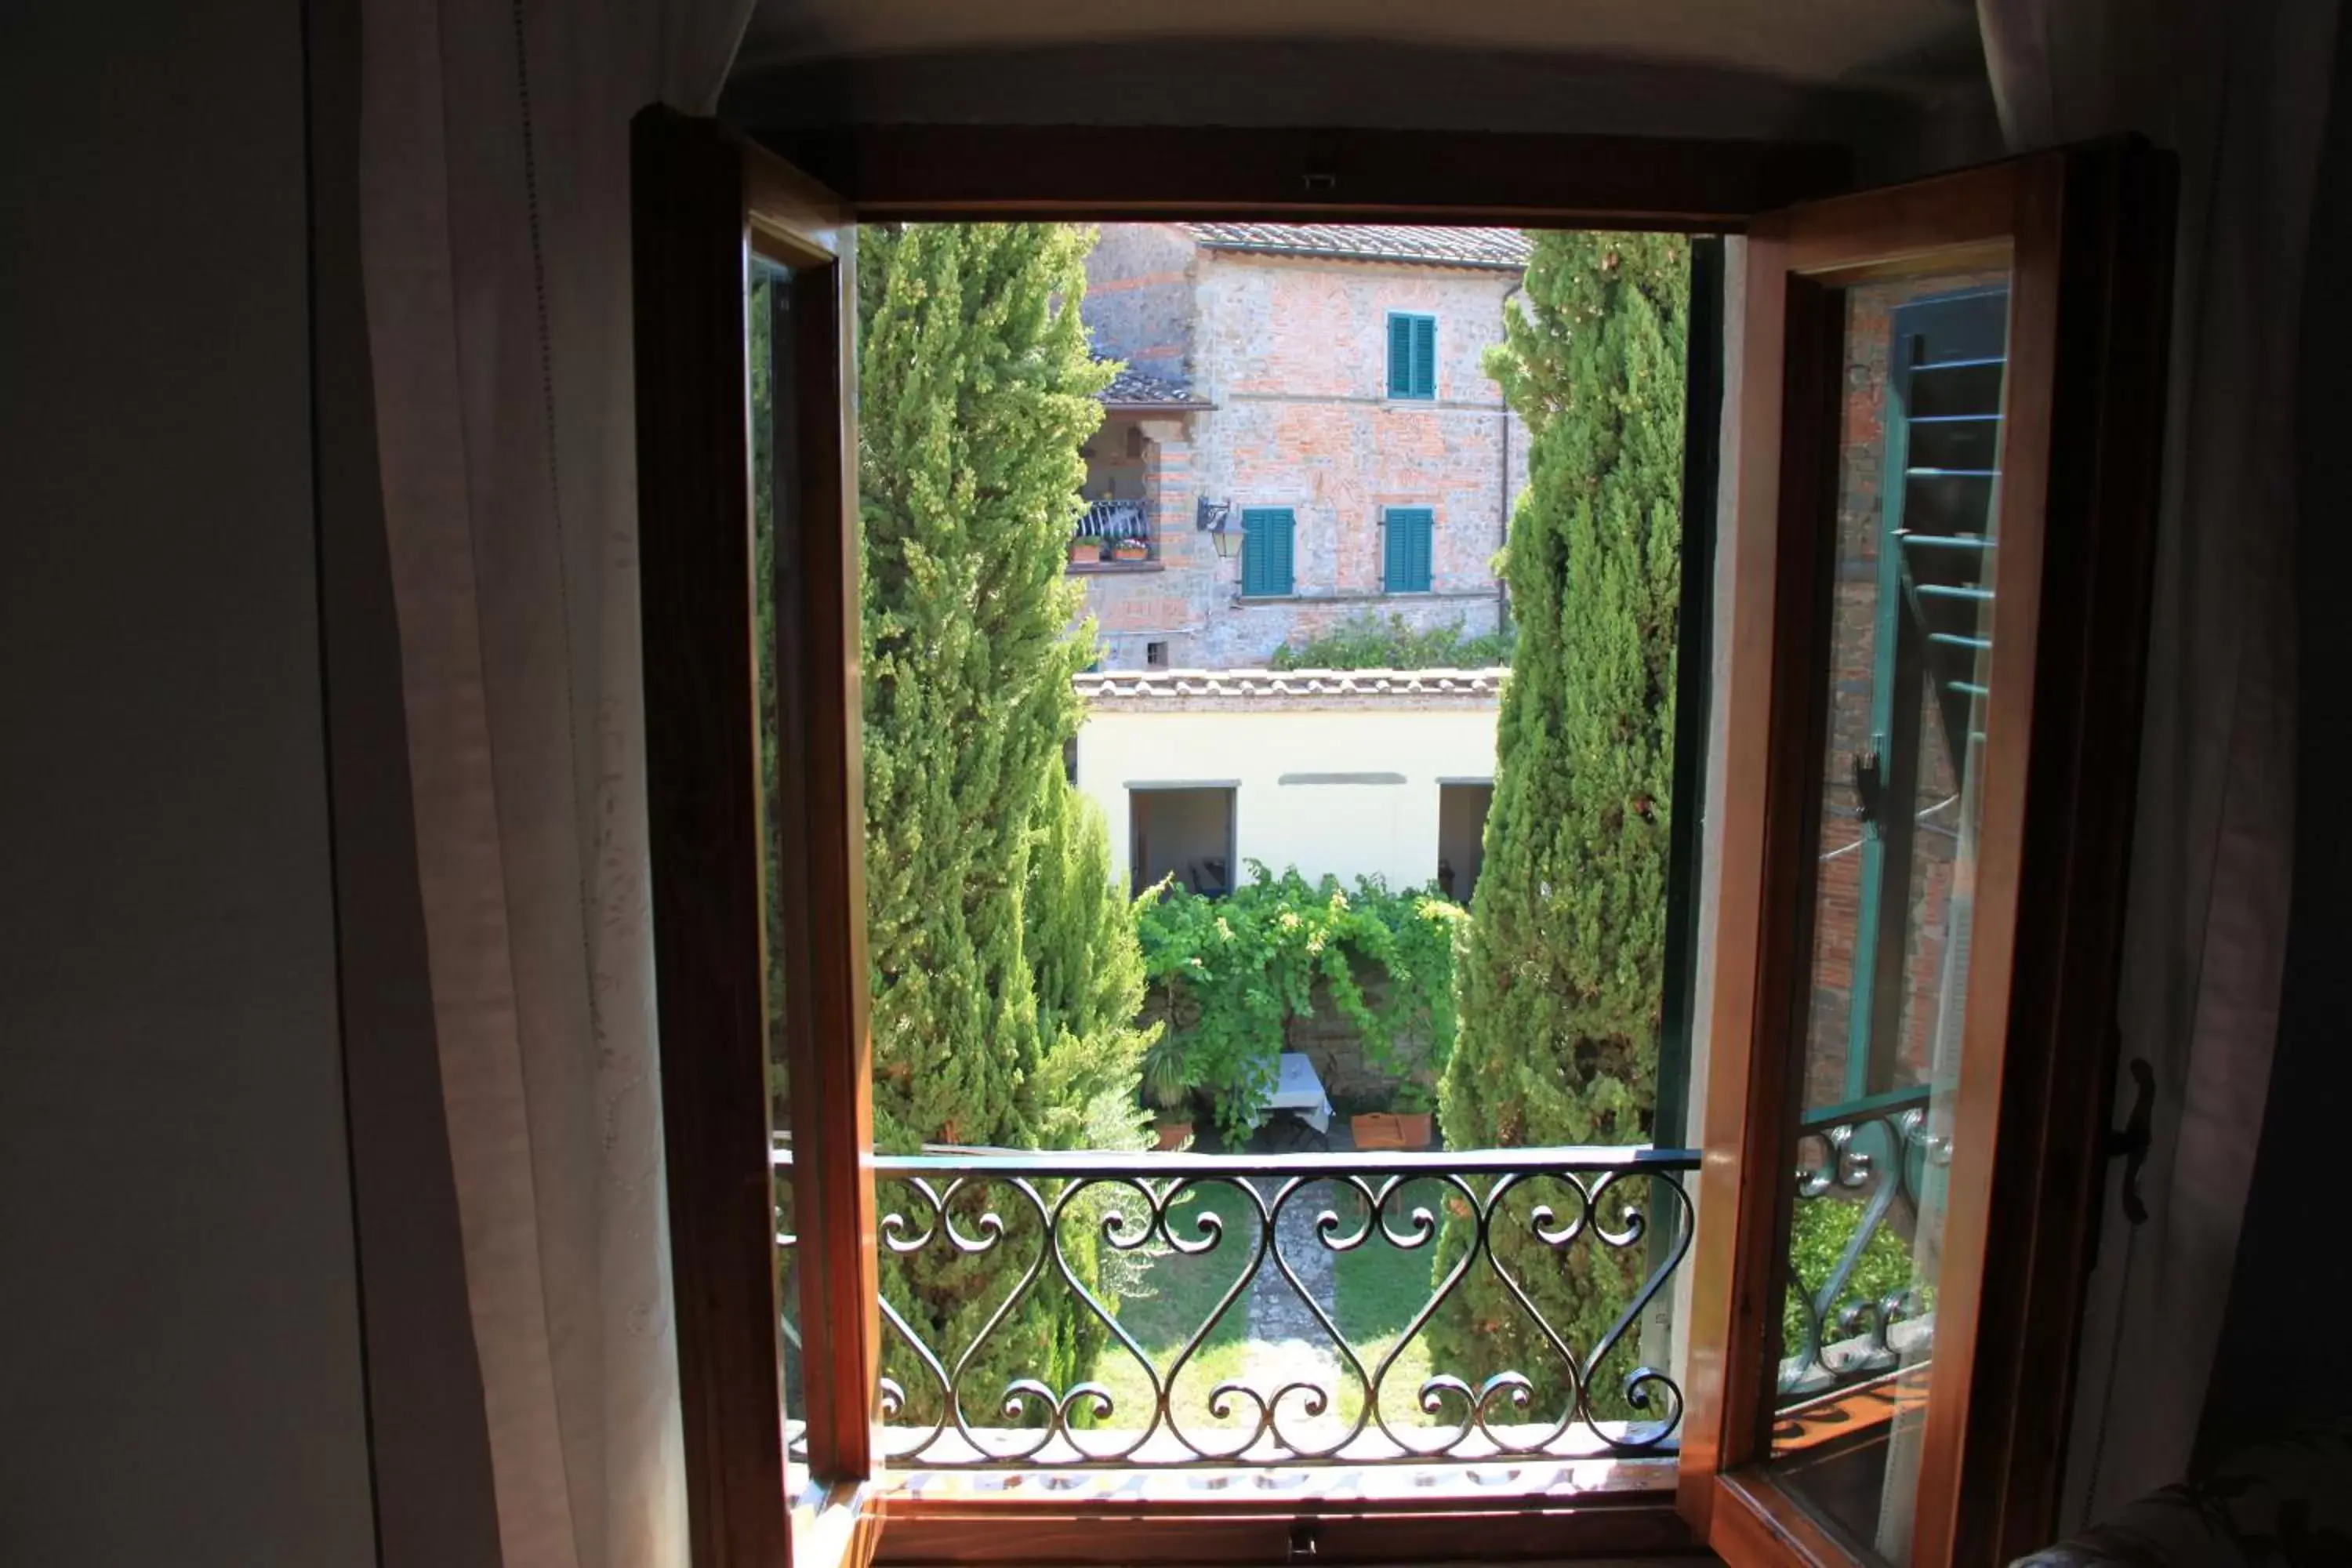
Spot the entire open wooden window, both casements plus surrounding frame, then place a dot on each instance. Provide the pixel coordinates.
(1942, 507)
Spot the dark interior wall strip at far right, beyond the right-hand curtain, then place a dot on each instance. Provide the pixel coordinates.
(2276, 1367)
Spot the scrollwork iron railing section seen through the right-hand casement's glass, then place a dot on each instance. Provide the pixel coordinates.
(1869, 1313)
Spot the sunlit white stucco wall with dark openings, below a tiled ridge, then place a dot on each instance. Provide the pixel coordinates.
(1285, 768)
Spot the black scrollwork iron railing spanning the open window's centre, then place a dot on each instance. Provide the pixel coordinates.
(1269, 1311)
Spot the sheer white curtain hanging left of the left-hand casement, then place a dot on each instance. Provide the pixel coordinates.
(495, 222)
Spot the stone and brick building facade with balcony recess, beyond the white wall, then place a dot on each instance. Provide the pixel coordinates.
(1259, 380)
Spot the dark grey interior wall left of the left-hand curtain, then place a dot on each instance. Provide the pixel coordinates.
(182, 1325)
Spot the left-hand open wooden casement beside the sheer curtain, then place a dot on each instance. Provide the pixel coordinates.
(740, 253)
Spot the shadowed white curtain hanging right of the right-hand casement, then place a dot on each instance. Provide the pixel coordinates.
(2240, 93)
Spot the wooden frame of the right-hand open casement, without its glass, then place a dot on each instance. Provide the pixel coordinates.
(2078, 504)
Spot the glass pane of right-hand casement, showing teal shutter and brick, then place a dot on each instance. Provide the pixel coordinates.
(1909, 603)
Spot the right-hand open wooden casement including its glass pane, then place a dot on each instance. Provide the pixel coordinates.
(1949, 408)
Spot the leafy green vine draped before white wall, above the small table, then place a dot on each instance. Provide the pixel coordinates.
(1238, 970)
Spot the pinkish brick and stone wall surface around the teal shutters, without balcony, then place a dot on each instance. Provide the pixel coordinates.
(1295, 356)
